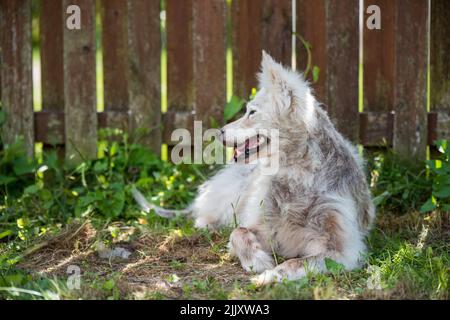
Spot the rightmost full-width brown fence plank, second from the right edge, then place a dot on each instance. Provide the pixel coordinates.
(411, 39)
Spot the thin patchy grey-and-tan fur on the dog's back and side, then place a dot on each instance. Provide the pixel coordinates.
(311, 198)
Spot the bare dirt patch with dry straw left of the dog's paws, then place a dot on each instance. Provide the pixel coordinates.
(156, 258)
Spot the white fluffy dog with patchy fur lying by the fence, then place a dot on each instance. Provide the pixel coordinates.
(316, 205)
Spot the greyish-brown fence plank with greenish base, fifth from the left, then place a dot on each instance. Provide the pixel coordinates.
(144, 50)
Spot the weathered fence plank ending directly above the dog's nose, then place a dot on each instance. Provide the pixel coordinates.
(209, 31)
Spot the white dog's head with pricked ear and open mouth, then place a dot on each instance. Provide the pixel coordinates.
(283, 103)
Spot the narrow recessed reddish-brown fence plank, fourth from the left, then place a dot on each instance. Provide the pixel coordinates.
(115, 59)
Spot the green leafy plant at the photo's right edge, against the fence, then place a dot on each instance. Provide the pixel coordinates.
(440, 176)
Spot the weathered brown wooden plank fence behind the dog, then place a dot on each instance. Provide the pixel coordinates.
(395, 60)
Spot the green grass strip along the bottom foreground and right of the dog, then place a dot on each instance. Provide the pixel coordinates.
(412, 263)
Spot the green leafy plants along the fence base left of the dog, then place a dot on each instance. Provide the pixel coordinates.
(34, 195)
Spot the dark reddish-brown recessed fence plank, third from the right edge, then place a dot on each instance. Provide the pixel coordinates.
(379, 76)
